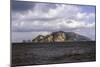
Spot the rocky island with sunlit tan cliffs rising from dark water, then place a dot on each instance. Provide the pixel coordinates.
(60, 36)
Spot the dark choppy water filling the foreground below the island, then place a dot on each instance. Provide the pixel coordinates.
(52, 53)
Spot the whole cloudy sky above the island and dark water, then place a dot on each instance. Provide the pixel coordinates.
(30, 19)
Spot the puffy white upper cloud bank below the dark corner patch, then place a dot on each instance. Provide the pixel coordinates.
(38, 12)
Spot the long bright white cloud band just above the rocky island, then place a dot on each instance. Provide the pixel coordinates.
(54, 25)
